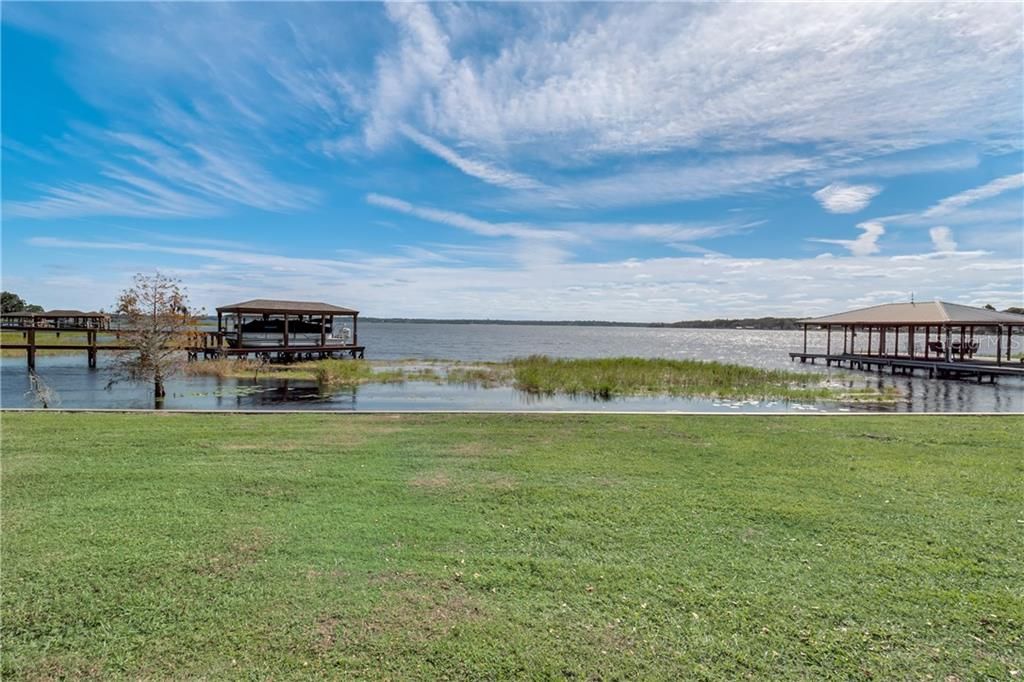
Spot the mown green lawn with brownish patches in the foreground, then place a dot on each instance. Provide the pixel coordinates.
(482, 547)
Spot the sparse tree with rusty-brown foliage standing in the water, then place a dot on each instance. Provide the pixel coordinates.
(156, 326)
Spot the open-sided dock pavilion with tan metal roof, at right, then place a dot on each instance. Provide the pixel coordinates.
(934, 335)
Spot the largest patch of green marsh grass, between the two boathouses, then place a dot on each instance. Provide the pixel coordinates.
(613, 377)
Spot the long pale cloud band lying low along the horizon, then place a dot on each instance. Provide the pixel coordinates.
(546, 288)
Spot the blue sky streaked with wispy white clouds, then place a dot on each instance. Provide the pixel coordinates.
(539, 161)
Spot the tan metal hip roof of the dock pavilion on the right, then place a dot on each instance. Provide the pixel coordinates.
(934, 313)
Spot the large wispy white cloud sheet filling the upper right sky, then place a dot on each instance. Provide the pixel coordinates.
(658, 77)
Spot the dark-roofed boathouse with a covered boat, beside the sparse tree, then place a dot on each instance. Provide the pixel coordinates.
(286, 328)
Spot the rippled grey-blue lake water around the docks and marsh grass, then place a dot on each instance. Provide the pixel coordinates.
(77, 387)
